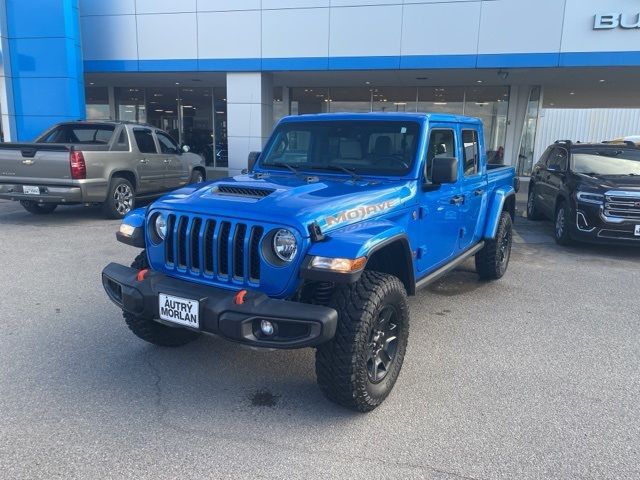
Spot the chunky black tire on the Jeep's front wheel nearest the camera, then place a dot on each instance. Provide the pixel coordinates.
(342, 363)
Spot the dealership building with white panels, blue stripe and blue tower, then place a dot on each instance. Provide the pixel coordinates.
(218, 74)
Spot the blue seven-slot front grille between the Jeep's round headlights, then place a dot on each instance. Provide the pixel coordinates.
(214, 248)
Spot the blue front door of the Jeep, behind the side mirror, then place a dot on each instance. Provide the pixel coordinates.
(439, 205)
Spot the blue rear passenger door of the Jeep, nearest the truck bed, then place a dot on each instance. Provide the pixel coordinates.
(473, 186)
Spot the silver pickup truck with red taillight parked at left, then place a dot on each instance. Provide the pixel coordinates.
(107, 163)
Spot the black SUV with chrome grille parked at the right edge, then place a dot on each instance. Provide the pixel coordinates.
(590, 190)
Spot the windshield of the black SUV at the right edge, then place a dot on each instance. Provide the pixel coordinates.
(605, 162)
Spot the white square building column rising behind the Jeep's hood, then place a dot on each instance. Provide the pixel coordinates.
(249, 115)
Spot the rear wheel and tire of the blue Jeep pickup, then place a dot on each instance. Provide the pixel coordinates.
(492, 261)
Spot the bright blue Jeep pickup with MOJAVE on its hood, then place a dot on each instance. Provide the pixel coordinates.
(319, 243)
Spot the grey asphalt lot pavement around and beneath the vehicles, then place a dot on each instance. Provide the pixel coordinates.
(533, 376)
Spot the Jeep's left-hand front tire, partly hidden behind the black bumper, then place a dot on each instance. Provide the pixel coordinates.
(154, 332)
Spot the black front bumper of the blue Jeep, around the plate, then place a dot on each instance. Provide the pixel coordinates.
(297, 325)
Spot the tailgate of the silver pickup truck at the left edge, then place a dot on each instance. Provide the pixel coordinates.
(40, 163)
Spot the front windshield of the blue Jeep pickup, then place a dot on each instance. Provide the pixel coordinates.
(358, 146)
